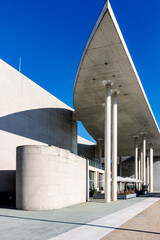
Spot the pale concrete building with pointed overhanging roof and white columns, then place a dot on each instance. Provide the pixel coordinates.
(53, 168)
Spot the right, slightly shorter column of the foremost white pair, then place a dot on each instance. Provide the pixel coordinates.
(114, 146)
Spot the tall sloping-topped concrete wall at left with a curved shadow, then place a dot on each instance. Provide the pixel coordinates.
(30, 115)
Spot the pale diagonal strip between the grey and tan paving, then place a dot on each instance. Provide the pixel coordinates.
(103, 226)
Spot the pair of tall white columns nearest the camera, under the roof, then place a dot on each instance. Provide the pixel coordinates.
(110, 139)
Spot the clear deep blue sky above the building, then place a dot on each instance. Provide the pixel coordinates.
(50, 36)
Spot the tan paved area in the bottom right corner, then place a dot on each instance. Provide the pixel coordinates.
(145, 225)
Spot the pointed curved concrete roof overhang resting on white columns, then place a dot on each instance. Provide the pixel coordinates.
(106, 57)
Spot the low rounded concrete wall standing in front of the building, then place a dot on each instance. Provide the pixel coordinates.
(49, 178)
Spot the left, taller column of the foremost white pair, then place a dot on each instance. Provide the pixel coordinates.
(107, 144)
